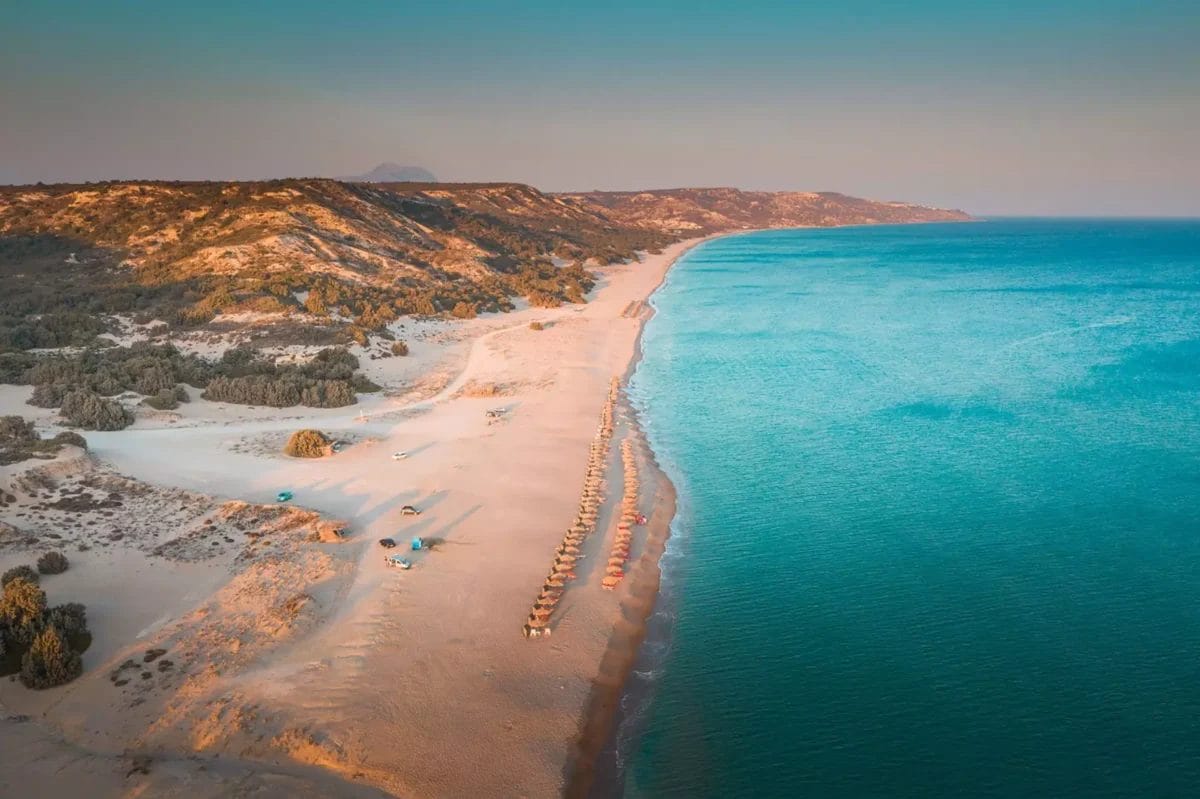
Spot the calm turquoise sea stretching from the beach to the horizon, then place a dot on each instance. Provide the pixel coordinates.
(940, 515)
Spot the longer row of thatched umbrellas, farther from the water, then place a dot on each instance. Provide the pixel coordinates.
(568, 552)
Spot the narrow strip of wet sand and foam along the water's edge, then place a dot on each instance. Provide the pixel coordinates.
(603, 713)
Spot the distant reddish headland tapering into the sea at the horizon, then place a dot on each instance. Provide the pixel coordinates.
(693, 212)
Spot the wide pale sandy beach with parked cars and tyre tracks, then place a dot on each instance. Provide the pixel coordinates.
(301, 668)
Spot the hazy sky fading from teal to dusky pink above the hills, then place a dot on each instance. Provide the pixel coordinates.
(1018, 107)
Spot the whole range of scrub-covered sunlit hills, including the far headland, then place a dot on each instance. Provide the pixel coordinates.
(347, 259)
